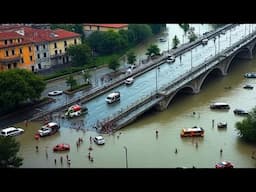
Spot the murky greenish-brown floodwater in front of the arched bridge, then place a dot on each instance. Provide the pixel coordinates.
(144, 148)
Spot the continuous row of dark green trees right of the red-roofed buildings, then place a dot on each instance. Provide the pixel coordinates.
(109, 42)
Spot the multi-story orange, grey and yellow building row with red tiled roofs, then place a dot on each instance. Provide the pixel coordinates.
(34, 49)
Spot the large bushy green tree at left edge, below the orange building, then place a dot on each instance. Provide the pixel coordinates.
(19, 86)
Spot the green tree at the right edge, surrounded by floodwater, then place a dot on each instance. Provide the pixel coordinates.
(247, 128)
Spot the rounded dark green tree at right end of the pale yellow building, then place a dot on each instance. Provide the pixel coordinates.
(80, 54)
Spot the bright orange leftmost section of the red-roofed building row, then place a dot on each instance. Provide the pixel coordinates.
(15, 51)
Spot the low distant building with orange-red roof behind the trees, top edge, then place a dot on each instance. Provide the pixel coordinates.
(104, 27)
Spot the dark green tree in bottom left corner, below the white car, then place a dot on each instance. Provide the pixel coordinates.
(9, 148)
